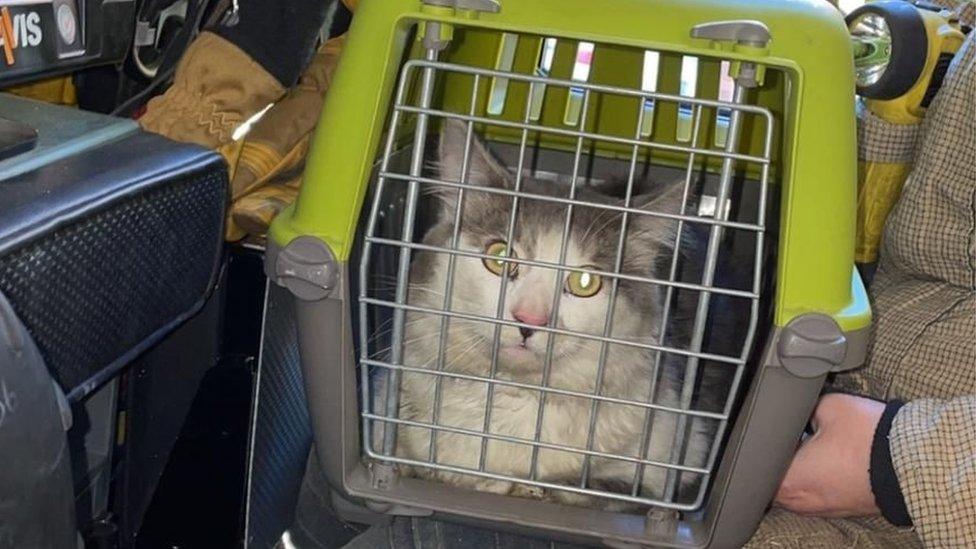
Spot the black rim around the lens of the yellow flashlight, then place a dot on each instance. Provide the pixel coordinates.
(909, 45)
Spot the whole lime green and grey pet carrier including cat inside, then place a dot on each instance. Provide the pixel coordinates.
(468, 152)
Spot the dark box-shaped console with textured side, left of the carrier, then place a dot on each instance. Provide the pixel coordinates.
(105, 251)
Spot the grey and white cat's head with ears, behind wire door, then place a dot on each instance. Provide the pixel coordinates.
(529, 296)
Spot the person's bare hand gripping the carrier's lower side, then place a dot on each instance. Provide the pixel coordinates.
(829, 475)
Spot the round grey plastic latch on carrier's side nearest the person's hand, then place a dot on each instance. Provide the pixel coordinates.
(811, 345)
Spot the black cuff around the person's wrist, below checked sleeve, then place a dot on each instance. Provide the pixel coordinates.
(884, 481)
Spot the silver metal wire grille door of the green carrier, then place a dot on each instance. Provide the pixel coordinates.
(382, 367)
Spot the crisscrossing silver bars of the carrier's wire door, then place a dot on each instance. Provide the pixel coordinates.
(401, 308)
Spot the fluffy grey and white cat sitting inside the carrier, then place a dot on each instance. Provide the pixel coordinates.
(521, 354)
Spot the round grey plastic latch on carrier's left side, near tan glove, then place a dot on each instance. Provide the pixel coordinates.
(307, 268)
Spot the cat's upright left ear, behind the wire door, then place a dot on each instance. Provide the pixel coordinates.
(483, 169)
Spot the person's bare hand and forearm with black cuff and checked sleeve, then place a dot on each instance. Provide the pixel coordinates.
(915, 463)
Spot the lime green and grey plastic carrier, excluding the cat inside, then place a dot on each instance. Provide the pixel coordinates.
(751, 101)
